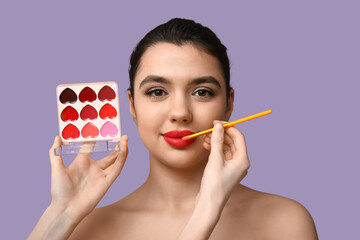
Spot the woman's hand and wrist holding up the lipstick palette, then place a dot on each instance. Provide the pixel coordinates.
(77, 189)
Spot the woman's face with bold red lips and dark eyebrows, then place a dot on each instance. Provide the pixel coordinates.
(178, 89)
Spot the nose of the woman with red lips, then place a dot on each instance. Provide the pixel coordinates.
(180, 110)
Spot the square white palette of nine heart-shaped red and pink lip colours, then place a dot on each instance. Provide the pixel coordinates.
(88, 112)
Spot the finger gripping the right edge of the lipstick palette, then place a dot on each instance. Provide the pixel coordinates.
(114, 170)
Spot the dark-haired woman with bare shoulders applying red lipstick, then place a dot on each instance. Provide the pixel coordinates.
(179, 84)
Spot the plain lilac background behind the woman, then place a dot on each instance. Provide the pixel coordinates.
(299, 58)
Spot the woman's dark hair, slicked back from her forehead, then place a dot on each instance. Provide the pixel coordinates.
(180, 31)
